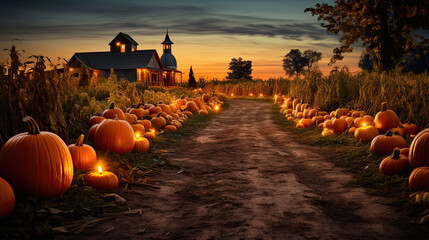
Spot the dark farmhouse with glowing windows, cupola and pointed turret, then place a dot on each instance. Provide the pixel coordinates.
(127, 62)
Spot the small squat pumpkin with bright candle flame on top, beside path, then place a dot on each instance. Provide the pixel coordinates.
(102, 180)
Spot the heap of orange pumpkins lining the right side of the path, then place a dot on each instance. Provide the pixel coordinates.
(384, 131)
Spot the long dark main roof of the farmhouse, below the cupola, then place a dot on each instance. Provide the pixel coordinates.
(105, 60)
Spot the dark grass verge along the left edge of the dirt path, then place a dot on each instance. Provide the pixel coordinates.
(34, 218)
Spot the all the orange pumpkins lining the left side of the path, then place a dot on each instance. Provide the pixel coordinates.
(39, 163)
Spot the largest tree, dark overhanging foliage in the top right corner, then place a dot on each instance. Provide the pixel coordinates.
(385, 28)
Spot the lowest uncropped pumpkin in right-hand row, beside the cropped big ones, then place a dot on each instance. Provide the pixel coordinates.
(394, 164)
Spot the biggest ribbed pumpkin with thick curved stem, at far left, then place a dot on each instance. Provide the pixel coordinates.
(36, 162)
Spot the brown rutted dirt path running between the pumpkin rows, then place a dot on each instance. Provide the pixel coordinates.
(248, 180)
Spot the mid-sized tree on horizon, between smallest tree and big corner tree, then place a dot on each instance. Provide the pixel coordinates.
(296, 63)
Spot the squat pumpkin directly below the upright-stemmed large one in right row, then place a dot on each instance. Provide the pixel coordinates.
(384, 144)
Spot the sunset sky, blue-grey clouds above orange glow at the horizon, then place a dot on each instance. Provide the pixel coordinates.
(206, 34)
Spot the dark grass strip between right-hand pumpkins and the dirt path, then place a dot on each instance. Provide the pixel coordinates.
(356, 158)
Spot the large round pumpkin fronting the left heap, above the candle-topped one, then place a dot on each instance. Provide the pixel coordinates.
(114, 135)
